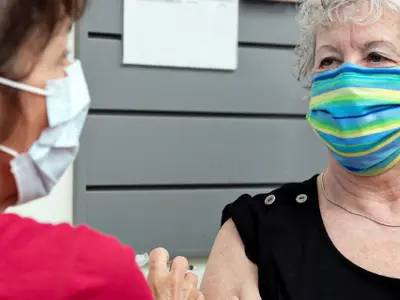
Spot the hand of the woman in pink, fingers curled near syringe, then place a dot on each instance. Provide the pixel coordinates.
(173, 284)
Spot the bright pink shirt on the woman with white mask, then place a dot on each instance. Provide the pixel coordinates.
(47, 262)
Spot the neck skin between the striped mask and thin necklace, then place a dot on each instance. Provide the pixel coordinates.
(377, 196)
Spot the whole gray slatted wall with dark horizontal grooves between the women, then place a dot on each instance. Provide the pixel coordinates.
(164, 149)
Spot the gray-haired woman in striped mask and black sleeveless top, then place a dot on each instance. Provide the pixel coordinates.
(337, 234)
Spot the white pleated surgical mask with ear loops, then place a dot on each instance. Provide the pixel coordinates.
(38, 171)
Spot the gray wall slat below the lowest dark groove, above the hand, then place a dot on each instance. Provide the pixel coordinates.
(181, 221)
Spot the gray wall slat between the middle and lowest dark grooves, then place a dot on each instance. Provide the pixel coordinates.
(127, 150)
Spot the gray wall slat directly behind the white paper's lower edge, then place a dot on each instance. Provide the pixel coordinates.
(263, 83)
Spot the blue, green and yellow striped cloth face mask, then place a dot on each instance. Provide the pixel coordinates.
(356, 112)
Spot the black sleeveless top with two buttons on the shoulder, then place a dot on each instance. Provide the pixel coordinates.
(284, 235)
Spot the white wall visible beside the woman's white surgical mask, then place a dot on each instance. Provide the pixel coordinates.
(56, 208)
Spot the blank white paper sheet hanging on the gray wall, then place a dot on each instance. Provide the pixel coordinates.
(181, 33)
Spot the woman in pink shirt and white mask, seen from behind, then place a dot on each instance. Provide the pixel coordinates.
(44, 101)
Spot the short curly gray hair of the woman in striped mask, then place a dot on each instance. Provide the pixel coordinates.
(315, 13)
